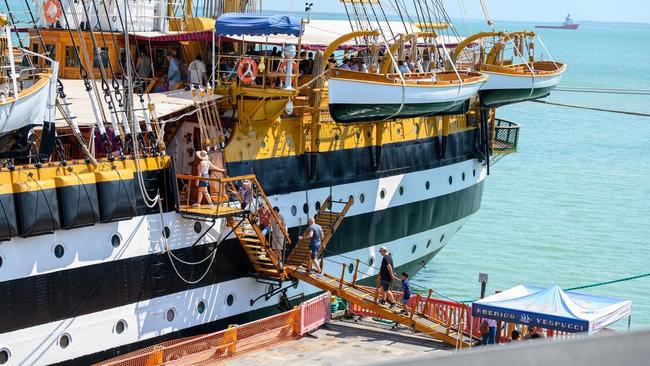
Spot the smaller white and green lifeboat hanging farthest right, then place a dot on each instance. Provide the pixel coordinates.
(519, 83)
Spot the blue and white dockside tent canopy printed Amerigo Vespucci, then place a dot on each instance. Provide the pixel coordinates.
(553, 308)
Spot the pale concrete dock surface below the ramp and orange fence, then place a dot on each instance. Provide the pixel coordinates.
(345, 342)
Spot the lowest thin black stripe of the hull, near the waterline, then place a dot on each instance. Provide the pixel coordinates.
(412, 268)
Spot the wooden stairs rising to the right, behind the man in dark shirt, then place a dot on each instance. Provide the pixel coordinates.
(329, 220)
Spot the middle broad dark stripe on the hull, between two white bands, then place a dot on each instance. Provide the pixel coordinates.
(74, 292)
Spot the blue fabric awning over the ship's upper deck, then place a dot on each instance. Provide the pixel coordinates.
(238, 24)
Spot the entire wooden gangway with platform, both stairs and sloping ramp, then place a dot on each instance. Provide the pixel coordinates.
(245, 224)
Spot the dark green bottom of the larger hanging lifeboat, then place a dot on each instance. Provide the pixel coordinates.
(352, 113)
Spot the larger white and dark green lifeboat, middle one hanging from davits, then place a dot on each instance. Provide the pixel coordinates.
(358, 96)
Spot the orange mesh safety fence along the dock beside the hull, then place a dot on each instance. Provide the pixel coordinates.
(237, 339)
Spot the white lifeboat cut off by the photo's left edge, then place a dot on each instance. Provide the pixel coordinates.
(29, 108)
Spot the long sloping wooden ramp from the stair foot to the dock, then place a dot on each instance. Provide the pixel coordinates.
(368, 299)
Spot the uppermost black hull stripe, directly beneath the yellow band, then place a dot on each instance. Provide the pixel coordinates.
(317, 170)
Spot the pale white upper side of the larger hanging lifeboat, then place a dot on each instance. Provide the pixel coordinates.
(343, 91)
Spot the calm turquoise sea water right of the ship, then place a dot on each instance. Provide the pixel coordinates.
(572, 207)
